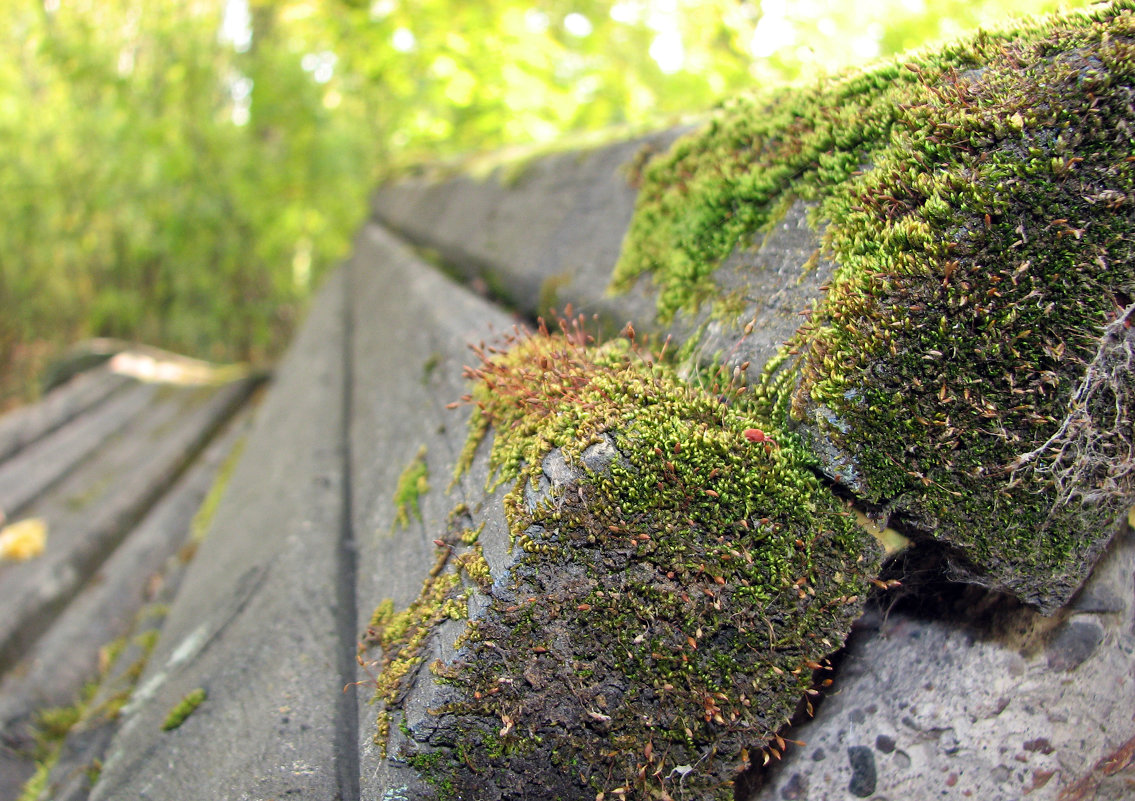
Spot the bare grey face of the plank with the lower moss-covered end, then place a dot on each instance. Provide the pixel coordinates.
(409, 351)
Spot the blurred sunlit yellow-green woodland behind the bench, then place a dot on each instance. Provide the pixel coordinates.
(182, 173)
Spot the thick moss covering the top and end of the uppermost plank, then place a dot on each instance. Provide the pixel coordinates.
(971, 366)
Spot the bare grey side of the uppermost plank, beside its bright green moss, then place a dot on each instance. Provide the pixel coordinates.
(553, 238)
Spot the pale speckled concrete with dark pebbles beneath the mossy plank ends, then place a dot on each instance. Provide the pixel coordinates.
(991, 702)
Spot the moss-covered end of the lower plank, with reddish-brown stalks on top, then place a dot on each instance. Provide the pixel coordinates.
(679, 578)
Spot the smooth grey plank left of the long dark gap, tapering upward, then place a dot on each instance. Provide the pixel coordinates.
(256, 623)
